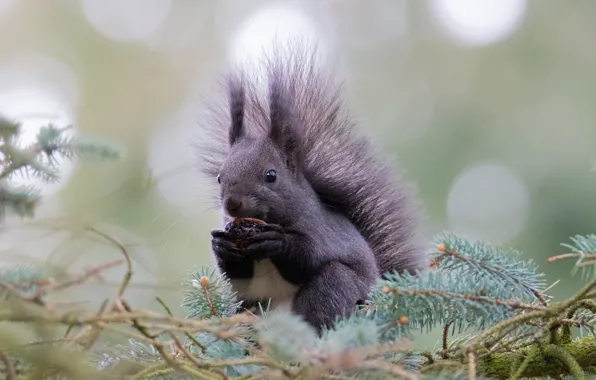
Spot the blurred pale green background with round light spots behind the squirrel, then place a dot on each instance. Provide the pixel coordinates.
(488, 106)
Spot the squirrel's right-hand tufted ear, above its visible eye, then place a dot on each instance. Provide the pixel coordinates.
(283, 133)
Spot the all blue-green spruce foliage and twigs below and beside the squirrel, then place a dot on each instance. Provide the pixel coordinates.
(499, 302)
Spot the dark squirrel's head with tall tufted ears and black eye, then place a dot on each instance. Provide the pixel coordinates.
(261, 175)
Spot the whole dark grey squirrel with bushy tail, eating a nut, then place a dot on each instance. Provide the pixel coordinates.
(338, 215)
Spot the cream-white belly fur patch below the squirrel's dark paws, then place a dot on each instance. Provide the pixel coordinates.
(265, 284)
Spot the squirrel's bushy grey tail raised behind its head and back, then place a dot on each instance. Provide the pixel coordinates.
(348, 173)
